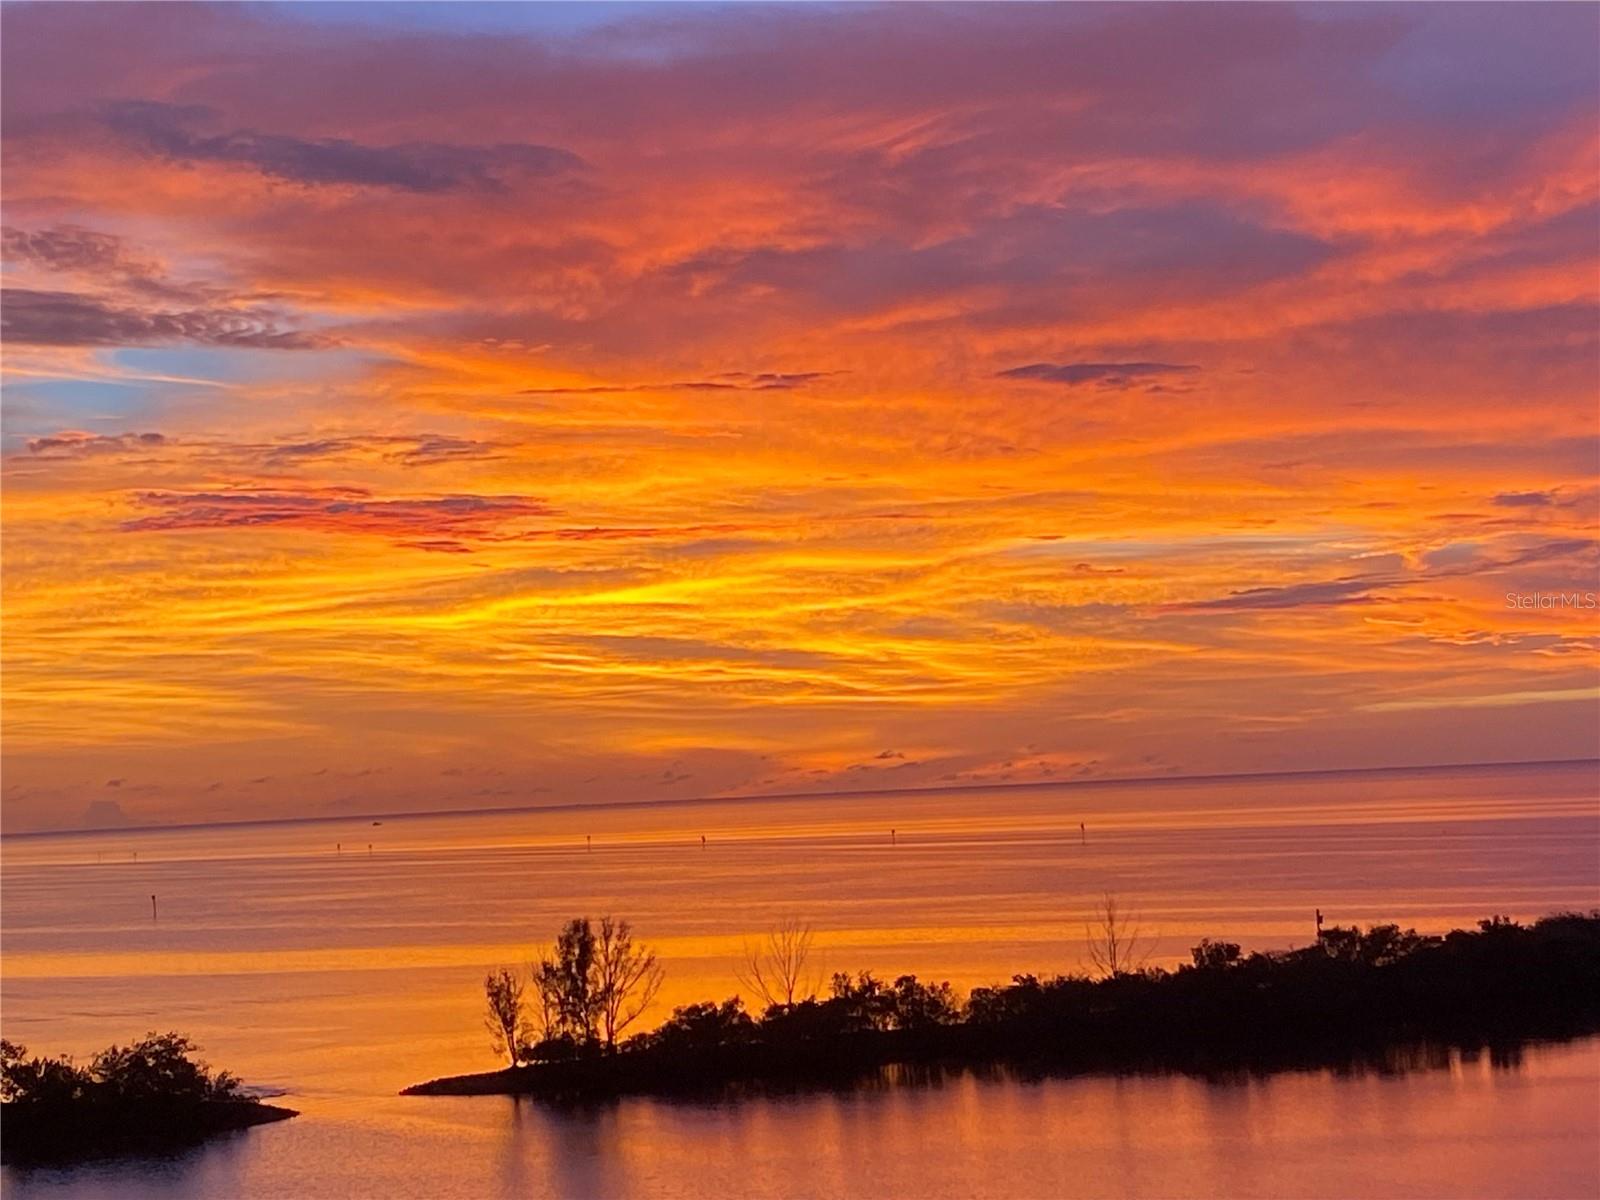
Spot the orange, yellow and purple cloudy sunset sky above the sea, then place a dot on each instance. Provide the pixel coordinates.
(444, 407)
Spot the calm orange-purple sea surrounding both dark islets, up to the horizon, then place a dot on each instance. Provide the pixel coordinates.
(337, 962)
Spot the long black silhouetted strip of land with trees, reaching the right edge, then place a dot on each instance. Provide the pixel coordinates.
(1353, 993)
